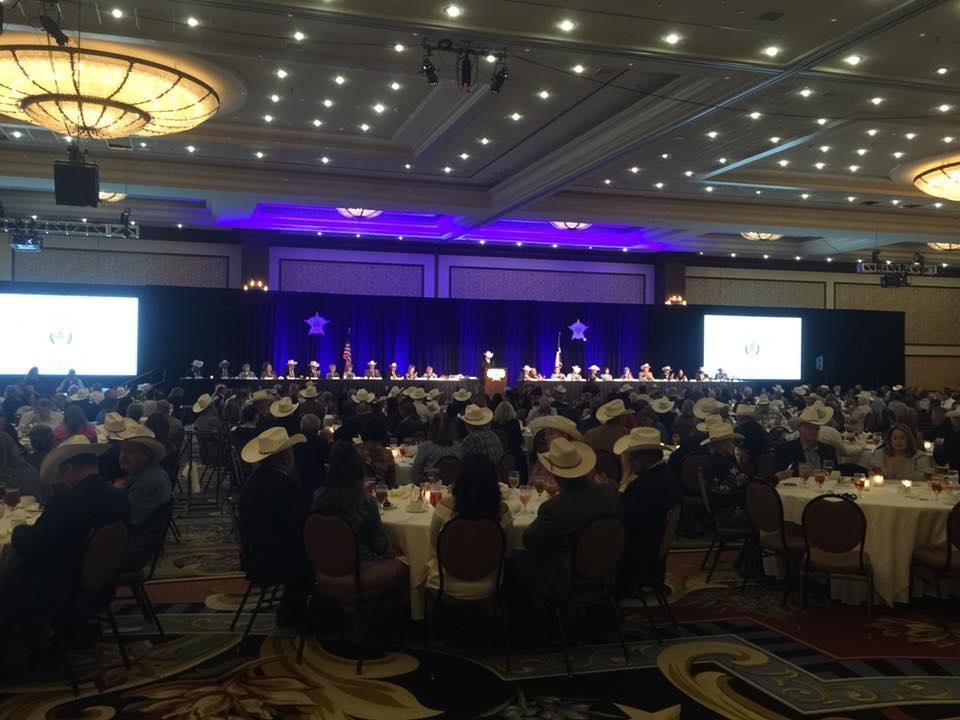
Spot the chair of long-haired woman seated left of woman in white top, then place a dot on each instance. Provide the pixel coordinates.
(334, 554)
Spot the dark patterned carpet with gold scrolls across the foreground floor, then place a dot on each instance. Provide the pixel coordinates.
(731, 656)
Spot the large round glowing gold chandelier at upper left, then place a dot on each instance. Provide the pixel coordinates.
(99, 94)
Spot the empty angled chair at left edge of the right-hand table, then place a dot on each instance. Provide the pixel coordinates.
(772, 536)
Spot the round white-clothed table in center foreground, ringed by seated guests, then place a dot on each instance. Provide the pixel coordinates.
(409, 534)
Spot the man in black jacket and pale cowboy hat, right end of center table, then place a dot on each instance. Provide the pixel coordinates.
(648, 492)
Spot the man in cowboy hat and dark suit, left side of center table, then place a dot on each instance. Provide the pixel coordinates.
(272, 511)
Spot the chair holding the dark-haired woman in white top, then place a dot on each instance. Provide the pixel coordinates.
(468, 551)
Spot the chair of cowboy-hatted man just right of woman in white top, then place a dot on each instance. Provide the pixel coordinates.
(595, 557)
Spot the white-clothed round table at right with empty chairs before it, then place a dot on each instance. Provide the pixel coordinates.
(896, 525)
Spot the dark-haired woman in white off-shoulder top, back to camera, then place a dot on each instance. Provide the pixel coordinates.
(475, 496)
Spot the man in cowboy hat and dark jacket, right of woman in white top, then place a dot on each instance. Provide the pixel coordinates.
(544, 567)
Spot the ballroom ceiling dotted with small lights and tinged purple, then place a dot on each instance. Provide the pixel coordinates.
(667, 125)
